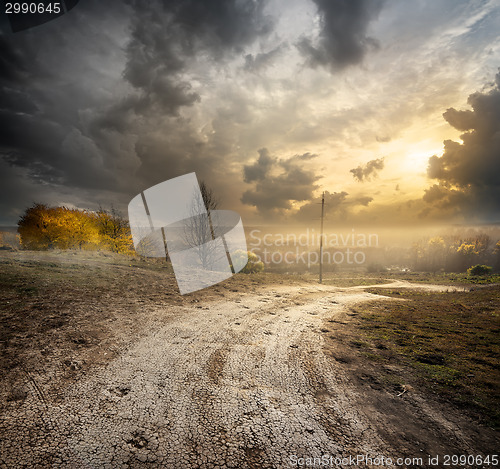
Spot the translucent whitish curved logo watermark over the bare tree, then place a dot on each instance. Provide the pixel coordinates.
(171, 219)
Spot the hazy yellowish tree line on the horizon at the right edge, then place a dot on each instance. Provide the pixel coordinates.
(455, 253)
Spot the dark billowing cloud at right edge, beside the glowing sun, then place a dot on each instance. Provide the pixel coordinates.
(468, 173)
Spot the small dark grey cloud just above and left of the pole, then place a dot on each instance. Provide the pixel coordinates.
(278, 182)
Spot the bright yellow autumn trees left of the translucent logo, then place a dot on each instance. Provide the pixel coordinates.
(42, 227)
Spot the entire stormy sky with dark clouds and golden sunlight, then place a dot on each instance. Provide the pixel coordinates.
(390, 107)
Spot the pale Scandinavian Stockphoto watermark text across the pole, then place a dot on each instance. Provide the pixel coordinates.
(291, 248)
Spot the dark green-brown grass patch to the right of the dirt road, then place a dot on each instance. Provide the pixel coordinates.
(450, 342)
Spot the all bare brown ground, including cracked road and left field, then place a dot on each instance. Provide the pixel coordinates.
(104, 364)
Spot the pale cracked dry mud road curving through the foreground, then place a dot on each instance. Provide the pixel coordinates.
(241, 382)
